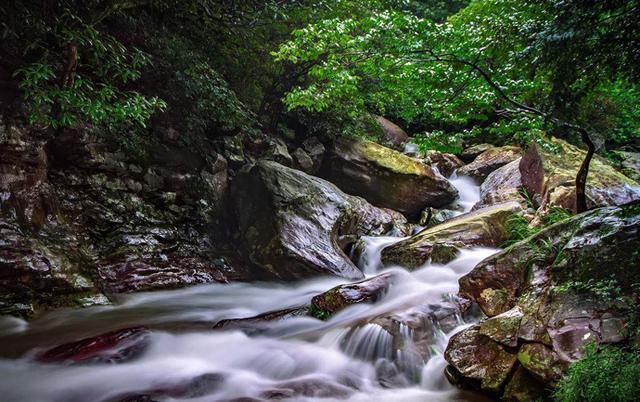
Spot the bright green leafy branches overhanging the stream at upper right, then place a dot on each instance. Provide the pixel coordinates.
(459, 75)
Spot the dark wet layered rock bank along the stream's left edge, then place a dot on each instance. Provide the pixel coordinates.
(78, 221)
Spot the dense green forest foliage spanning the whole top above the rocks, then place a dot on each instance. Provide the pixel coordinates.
(444, 69)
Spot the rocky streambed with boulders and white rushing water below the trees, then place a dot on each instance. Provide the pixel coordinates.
(280, 270)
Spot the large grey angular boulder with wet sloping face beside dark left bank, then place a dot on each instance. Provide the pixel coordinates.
(289, 223)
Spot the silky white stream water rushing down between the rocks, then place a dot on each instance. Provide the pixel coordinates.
(347, 357)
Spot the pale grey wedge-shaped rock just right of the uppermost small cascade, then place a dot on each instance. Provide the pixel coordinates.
(502, 185)
